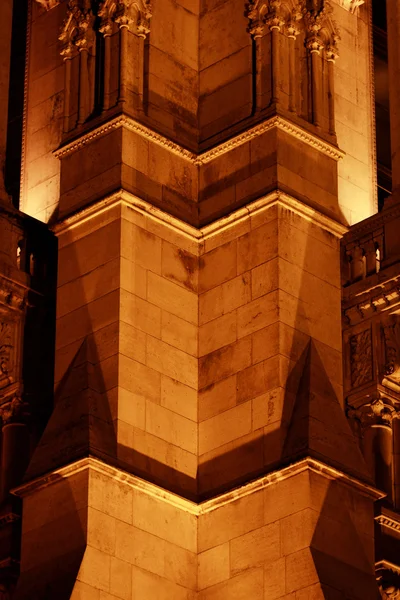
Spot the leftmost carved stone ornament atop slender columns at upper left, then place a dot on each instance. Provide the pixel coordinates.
(77, 30)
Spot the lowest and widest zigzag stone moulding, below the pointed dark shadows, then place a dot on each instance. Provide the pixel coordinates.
(161, 494)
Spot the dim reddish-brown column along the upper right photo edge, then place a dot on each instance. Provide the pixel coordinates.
(393, 28)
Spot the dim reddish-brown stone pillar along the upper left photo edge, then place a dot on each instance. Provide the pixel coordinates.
(6, 9)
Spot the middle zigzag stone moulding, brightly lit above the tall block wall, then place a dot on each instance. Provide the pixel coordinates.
(201, 235)
